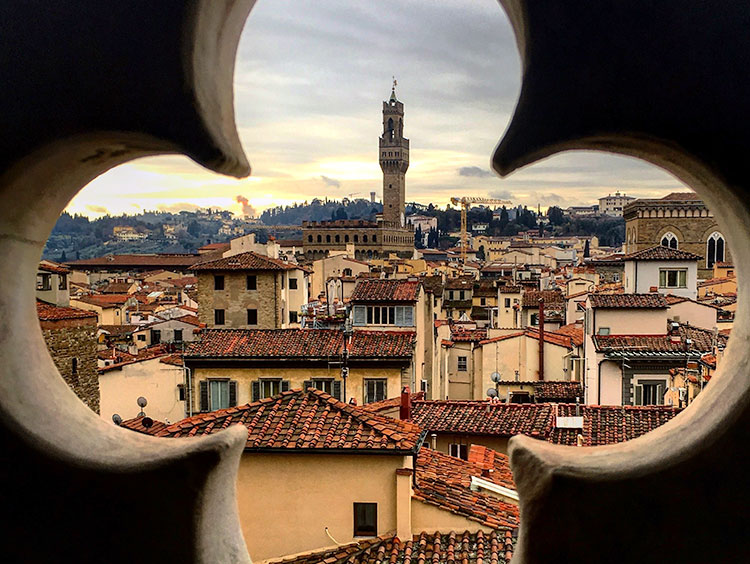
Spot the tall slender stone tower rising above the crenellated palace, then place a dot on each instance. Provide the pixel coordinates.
(394, 161)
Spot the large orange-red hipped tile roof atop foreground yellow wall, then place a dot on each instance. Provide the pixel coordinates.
(308, 420)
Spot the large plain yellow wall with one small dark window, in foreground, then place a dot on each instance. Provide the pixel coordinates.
(286, 501)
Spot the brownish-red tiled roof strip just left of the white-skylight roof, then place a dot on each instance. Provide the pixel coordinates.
(482, 417)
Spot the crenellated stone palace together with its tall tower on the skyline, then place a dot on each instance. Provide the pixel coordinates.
(390, 233)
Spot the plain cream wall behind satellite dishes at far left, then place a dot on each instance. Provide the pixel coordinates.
(154, 380)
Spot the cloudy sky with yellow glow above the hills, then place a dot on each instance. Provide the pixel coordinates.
(310, 79)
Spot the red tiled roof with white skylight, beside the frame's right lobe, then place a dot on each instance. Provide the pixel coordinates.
(607, 425)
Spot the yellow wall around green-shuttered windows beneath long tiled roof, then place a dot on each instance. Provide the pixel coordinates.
(297, 375)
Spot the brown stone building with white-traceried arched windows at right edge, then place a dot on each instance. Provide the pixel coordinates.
(680, 221)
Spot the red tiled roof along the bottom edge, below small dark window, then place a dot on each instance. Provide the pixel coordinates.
(495, 547)
